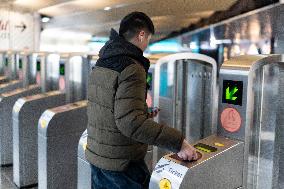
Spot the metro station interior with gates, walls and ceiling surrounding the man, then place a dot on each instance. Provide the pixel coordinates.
(215, 74)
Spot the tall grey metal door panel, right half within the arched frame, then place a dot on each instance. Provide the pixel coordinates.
(201, 80)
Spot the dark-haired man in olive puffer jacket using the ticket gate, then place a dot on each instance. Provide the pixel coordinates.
(119, 127)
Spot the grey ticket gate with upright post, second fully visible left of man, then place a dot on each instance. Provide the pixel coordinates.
(25, 118)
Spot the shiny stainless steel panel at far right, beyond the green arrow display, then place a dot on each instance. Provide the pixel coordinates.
(266, 143)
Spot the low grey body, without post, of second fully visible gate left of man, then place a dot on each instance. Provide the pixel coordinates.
(25, 121)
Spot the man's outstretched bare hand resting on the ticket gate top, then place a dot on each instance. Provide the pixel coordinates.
(187, 152)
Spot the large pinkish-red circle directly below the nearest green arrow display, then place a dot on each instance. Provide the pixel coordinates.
(231, 120)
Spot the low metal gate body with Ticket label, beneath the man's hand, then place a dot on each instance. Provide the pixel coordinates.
(214, 170)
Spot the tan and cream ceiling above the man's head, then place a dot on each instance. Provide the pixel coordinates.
(90, 16)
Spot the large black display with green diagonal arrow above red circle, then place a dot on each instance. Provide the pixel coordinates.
(232, 92)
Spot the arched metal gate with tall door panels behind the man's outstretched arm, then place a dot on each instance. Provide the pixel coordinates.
(185, 86)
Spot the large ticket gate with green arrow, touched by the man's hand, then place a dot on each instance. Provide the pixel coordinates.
(231, 157)
